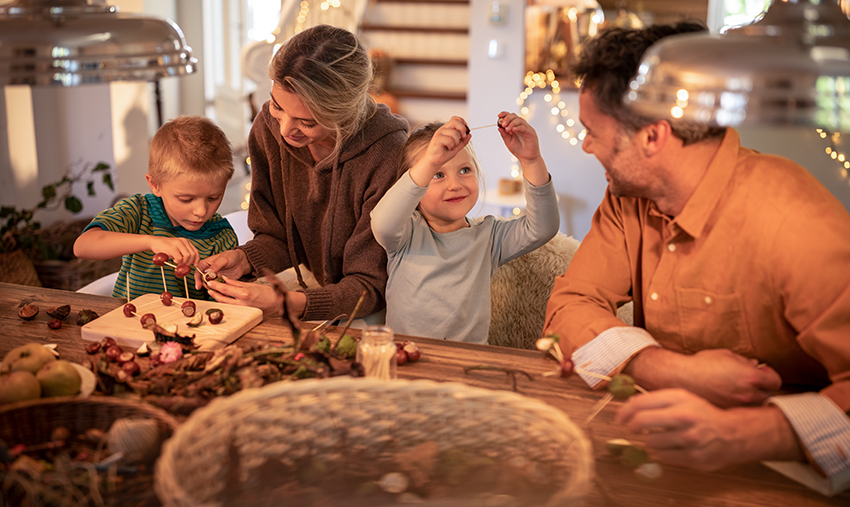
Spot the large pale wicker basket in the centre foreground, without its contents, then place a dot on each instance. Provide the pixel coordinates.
(233, 440)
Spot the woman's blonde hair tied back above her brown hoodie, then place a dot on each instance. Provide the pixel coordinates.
(329, 69)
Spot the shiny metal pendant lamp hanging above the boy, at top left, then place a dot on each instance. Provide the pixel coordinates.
(74, 42)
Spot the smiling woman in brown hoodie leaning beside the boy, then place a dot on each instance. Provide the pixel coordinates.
(322, 155)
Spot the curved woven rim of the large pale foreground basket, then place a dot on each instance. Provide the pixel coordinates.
(221, 410)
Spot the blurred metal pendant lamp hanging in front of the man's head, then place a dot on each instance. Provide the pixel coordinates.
(791, 67)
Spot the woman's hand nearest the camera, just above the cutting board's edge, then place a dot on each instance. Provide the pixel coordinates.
(264, 297)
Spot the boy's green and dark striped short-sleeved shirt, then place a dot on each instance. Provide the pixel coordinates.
(145, 214)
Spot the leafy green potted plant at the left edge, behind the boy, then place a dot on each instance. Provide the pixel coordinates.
(22, 240)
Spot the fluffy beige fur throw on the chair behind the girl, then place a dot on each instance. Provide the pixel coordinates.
(520, 290)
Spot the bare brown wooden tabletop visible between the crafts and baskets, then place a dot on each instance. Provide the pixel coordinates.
(616, 485)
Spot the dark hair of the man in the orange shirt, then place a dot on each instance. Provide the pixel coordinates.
(609, 61)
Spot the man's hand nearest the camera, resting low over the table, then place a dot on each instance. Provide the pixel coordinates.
(683, 429)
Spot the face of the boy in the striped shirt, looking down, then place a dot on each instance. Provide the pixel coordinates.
(189, 201)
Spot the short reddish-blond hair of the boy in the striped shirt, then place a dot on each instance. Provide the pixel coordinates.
(192, 146)
